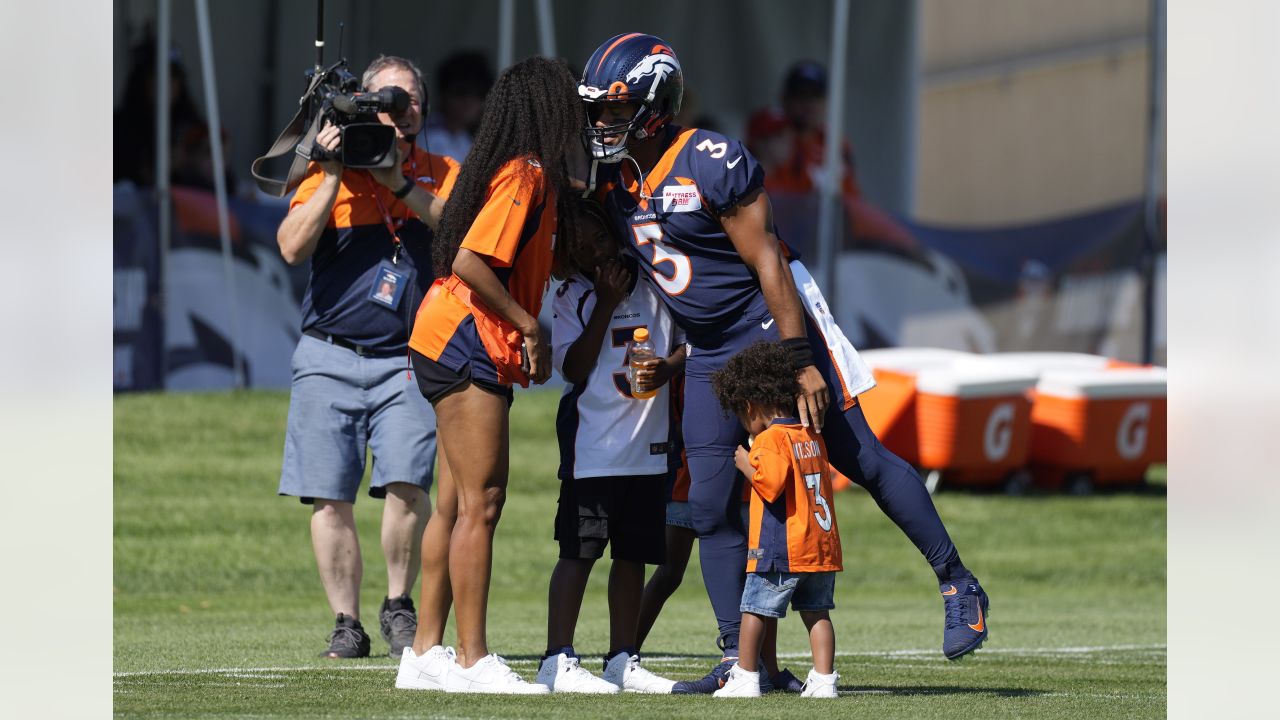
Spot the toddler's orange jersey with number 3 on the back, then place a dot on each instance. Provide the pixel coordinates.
(793, 521)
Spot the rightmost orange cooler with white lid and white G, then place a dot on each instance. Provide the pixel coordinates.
(1101, 427)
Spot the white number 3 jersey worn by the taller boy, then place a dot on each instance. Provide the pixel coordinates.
(602, 430)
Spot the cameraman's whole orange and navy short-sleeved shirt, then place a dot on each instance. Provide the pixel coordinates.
(356, 240)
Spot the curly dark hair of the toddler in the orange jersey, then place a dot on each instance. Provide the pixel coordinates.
(761, 375)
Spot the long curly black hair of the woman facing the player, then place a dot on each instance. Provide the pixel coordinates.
(533, 111)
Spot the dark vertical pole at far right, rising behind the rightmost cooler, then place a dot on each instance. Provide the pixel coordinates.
(1151, 220)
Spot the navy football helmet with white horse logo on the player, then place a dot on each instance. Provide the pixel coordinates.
(630, 69)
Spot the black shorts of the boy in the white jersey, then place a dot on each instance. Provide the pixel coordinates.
(628, 513)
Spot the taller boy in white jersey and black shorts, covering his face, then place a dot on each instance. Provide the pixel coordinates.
(614, 453)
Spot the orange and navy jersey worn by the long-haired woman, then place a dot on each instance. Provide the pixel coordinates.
(515, 233)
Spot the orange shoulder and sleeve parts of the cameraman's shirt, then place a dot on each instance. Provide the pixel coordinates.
(356, 203)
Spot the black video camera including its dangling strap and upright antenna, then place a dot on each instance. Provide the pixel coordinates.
(335, 95)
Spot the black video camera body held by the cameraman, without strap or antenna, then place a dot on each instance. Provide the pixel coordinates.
(365, 142)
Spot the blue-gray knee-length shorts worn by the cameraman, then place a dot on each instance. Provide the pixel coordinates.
(342, 404)
